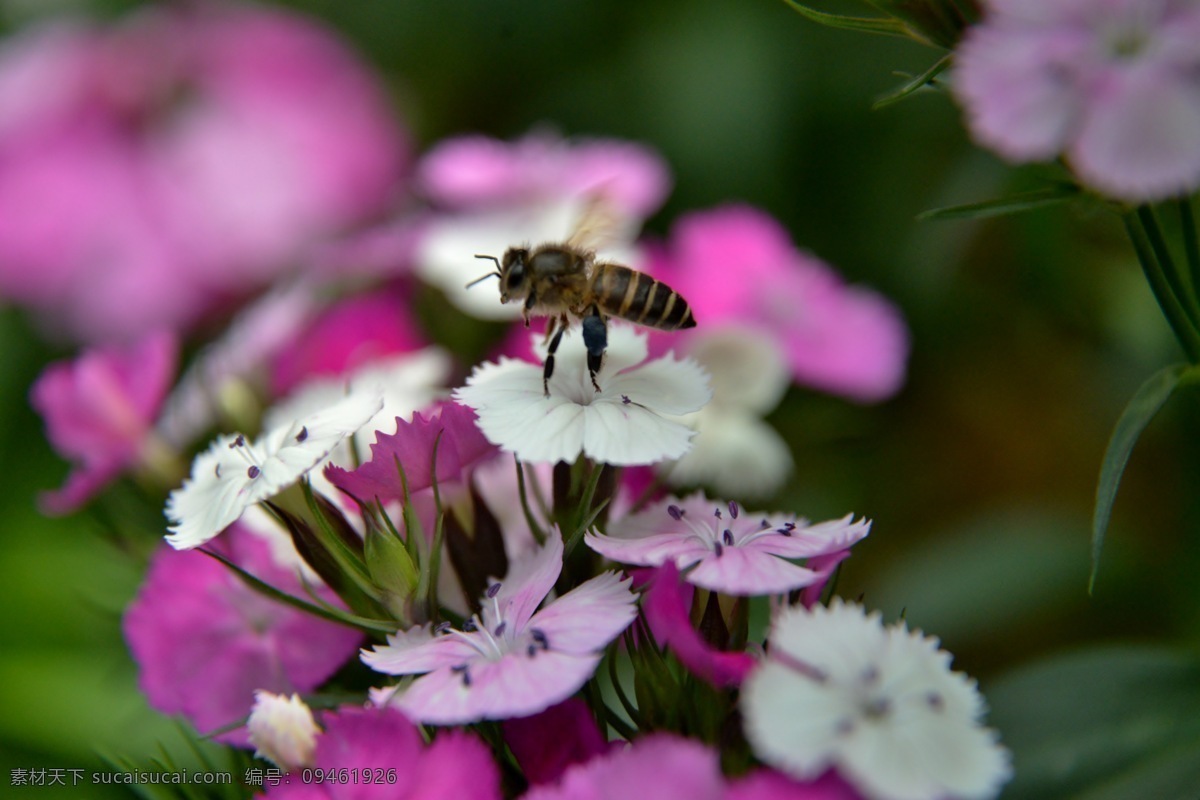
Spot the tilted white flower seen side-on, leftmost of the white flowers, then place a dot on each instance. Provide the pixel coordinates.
(235, 474)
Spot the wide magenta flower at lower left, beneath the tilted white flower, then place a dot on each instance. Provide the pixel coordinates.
(205, 641)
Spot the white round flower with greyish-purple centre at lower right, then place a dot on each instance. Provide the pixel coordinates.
(881, 705)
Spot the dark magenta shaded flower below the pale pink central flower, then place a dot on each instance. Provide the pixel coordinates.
(550, 742)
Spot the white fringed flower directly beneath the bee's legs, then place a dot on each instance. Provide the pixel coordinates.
(626, 423)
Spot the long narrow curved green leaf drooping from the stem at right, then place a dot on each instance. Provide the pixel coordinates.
(1137, 416)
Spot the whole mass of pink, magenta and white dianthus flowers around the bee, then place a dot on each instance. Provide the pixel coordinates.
(385, 560)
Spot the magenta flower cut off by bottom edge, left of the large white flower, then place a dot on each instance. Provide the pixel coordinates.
(662, 767)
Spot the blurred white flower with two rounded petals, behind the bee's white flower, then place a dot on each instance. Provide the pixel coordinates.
(735, 452)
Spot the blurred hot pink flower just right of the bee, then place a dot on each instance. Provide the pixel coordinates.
(737, 267)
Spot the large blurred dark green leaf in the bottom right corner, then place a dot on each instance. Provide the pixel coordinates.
(1107, 723)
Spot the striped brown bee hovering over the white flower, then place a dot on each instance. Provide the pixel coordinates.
(566, 282)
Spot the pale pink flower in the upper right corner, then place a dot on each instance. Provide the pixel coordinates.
(1113, 86)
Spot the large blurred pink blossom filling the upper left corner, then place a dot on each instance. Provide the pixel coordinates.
(178, 161)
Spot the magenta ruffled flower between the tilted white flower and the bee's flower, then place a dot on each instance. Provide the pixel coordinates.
(460, 447)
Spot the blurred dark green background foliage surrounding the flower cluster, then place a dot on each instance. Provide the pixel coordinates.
(1030, 334)
